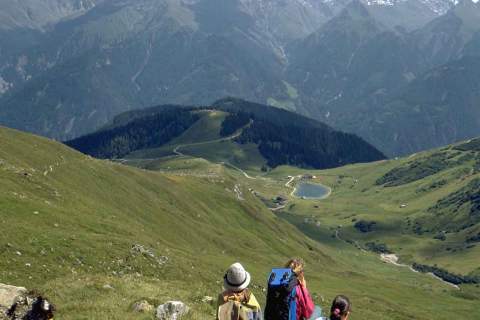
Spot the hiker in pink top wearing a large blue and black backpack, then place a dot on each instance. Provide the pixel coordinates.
(287, 296)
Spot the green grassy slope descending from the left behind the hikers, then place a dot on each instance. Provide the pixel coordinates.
(70, 226)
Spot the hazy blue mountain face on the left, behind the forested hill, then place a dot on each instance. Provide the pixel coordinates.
(110, 58)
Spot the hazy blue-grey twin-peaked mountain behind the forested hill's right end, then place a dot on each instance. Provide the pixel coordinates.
(350, 73)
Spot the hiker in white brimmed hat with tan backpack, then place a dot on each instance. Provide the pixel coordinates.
(236, 301)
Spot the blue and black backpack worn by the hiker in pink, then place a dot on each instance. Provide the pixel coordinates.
(281, 295)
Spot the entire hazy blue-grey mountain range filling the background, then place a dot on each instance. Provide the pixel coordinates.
(68, 67)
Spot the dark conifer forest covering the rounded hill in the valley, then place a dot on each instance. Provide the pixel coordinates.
(280, 136)
